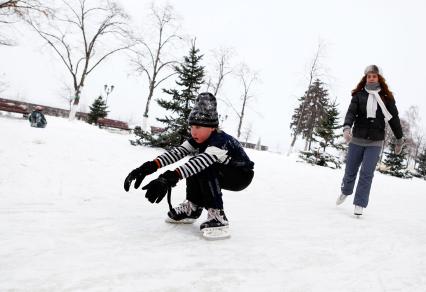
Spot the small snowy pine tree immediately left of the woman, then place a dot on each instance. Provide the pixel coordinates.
(325, 132)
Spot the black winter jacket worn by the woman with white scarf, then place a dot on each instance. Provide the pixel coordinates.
(370, 128)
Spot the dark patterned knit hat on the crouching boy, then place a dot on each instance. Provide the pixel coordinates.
(204, 112)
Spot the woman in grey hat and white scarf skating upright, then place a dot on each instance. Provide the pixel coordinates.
(371, 106)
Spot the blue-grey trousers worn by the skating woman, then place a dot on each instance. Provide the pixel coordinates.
(366, 157)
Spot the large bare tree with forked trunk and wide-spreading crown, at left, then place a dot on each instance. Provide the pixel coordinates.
(84, 36)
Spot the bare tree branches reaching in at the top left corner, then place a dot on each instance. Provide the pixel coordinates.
(12, 11)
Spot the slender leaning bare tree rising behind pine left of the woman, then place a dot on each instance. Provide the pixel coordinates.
(314, 73)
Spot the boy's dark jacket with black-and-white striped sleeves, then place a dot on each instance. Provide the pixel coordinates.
(218, 148)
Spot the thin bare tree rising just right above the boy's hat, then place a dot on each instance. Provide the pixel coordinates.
(222, 68)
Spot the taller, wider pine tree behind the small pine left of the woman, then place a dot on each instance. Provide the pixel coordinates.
(309, 113)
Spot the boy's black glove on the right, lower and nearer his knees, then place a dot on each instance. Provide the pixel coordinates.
(157, 189)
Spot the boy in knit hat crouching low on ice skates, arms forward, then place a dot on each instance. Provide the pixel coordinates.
(219, 163)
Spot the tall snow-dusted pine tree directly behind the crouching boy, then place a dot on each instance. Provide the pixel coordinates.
(190, 78)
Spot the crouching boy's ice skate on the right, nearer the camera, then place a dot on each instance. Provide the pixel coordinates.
(216, 226)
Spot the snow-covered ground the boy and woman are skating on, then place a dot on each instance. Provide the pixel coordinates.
(66, 224)
